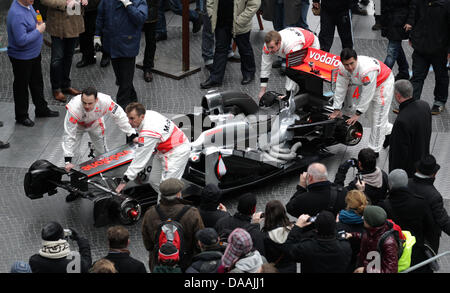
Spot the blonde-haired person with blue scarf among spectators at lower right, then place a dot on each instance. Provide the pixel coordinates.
(350, 220)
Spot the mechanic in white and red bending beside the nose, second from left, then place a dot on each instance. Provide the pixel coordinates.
(159, 133)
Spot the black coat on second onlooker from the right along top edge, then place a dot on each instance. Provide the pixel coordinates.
(394, 15)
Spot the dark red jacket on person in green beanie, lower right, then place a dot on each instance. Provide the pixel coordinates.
(389, 250)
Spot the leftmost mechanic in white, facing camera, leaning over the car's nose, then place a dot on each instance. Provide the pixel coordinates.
(85, 114)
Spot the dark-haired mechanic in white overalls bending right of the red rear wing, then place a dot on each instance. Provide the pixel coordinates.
(377, 83)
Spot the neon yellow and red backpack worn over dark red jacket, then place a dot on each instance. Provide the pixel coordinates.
(405, 241)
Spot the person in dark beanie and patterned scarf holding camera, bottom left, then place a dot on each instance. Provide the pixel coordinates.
(55, 255)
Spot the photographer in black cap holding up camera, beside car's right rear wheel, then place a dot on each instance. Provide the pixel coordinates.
(374, 179)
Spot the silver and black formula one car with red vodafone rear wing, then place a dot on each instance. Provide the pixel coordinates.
(234, 143)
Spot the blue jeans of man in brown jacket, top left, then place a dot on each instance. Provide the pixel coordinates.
(61, 62)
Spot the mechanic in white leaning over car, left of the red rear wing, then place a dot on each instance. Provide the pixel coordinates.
(280, 44)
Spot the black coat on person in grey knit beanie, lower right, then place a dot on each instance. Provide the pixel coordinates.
(412, 213)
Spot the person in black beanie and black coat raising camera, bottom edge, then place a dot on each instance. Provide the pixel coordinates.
(326, 252)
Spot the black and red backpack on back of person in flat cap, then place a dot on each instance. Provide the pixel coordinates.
(170, 232)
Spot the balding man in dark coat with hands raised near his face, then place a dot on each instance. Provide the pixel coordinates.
(316, 193)
